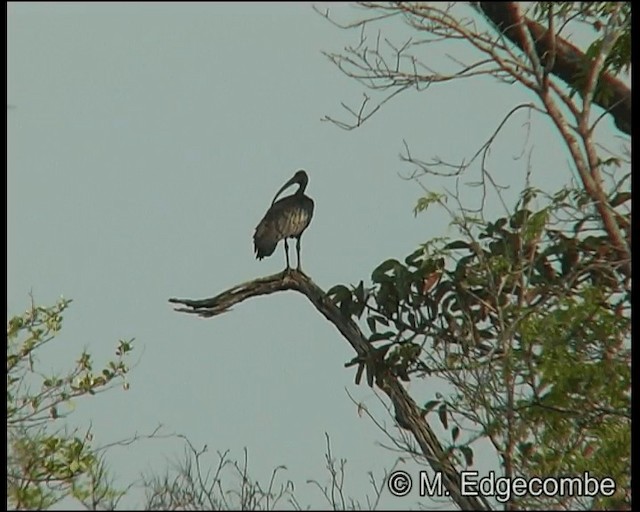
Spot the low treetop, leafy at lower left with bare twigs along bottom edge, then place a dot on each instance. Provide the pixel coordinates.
(50, 463)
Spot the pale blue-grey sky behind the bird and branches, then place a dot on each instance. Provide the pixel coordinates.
(147, 142)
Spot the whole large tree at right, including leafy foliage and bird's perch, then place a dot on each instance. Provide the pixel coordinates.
(525, 316)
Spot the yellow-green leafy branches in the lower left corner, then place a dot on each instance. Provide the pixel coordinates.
(45, 461)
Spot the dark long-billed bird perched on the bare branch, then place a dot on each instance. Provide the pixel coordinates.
(286, 218)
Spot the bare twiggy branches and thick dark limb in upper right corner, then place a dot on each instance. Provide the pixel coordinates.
(544, 53)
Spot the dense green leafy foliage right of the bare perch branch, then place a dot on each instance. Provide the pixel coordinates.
(529, 319)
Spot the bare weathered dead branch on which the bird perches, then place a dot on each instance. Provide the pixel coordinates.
(408, 414)
